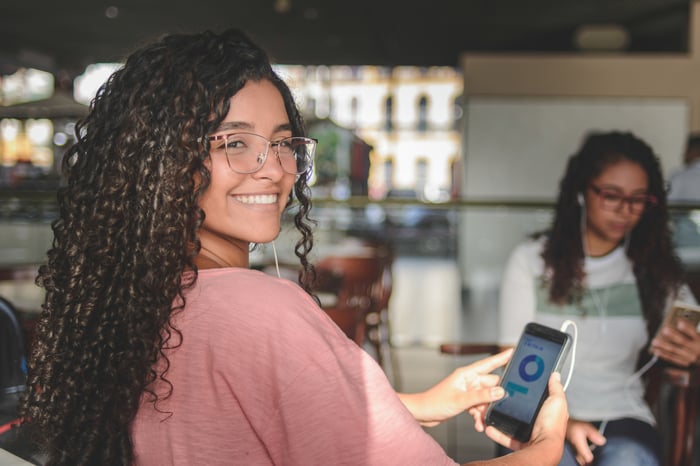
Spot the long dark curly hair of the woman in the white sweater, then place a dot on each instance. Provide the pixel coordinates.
(657, 269)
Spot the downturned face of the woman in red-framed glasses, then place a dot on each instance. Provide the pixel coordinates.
(606, 228)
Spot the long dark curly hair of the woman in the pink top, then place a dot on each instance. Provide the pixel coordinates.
(127, 230)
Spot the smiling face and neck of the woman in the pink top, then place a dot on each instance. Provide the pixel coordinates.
(245, 208)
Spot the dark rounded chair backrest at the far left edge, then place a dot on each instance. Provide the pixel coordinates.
(13, 361)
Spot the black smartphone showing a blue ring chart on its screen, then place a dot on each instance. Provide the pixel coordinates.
(540, 351)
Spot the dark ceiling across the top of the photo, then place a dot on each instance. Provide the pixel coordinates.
(65, 36)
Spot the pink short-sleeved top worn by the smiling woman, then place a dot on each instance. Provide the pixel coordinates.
(263, 376)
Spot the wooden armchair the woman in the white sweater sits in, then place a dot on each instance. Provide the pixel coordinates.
(684, 387)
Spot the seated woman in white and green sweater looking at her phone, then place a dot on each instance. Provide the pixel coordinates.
(607, 264)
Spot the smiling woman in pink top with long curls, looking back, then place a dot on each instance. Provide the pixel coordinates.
(158, 345)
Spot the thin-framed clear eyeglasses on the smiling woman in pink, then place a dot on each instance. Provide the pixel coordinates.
(247, 152)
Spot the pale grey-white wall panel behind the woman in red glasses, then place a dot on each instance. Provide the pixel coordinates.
(518, 147)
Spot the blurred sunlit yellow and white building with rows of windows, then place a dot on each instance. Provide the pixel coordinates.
(411, 117)
